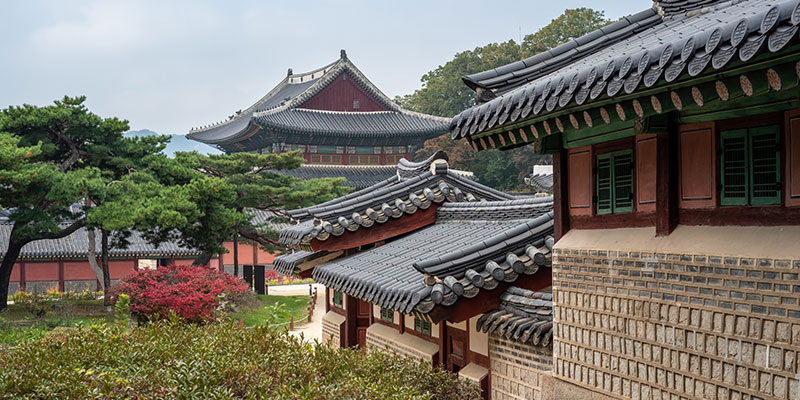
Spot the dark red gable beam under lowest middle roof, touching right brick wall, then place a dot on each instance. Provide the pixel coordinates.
(488, 300)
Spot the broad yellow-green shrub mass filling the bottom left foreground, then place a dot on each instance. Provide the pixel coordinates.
(170, 360)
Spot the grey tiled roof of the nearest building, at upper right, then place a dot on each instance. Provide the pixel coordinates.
(641, 51)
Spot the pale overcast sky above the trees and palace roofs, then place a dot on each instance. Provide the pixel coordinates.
(172, 65)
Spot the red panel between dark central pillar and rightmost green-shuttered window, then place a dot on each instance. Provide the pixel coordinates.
(697, 166)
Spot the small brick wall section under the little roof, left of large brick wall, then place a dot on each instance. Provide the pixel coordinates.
(517, 369)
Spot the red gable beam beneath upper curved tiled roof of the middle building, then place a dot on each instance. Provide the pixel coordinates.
(363, 236)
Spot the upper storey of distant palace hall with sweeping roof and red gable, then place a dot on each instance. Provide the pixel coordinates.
(334, 115)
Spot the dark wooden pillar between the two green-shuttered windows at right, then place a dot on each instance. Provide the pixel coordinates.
(667, 181)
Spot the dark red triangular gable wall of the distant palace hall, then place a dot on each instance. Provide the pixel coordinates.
(340, 94)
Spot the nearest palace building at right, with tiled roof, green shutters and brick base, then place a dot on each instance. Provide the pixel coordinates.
(675, 135)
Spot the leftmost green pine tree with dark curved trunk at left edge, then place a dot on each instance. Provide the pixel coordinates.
(68, 152)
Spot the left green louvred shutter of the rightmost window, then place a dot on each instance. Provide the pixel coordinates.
(733, 163)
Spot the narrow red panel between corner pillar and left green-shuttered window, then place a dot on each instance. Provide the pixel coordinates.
(579, 174)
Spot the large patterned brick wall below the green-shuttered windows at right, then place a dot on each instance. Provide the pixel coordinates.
(648, 325)
